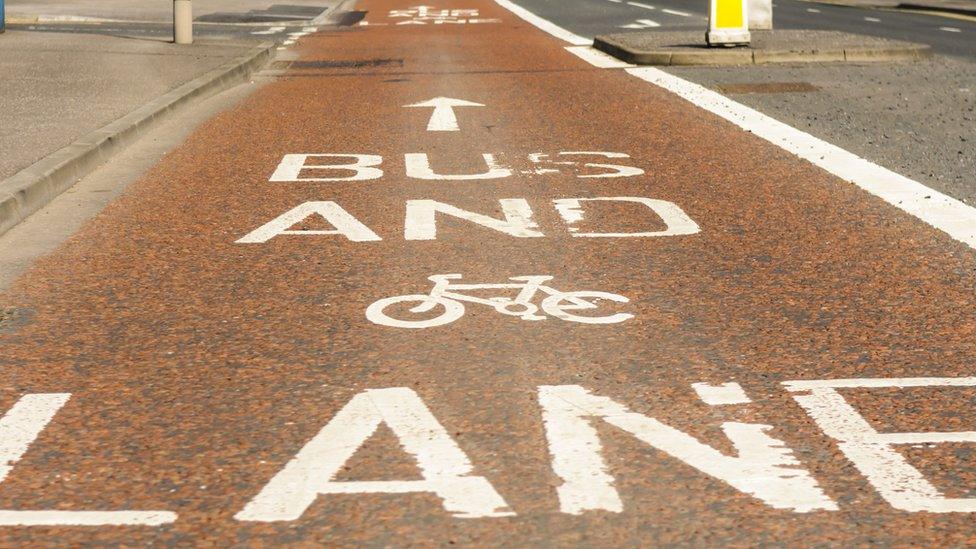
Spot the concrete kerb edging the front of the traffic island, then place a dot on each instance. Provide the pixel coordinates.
(746, 56)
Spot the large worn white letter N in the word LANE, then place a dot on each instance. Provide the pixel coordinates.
(764, 467)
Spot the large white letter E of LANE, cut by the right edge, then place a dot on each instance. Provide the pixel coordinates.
(873, 453)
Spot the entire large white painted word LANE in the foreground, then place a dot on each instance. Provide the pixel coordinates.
(764, 468)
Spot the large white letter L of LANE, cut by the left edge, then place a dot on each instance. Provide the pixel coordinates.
(19, 428)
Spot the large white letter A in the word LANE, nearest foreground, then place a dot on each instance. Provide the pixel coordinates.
(445, 468)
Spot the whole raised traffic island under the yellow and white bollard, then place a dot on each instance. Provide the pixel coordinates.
(777, 46)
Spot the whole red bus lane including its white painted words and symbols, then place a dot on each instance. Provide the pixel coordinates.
(737, 346)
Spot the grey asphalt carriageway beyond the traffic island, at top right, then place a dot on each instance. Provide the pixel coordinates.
(592, 17)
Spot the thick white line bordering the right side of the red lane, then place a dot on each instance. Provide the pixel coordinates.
(941, 211)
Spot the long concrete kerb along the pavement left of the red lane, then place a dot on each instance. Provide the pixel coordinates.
(33, 187)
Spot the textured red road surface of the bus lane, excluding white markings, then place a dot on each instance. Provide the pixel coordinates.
(198, 367)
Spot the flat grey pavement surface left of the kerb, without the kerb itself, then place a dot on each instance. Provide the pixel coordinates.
(58, 87)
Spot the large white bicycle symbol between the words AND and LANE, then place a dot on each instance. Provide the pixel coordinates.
(557, 304)
